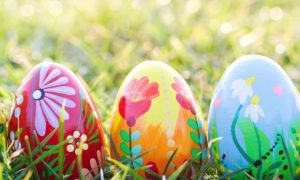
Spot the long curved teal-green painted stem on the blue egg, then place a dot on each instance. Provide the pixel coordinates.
(235, 141)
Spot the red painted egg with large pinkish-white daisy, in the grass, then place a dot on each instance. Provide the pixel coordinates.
(48, 95)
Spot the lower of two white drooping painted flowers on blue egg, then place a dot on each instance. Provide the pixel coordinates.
(254, 111)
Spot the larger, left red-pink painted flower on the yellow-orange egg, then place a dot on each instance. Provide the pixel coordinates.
(136, 101)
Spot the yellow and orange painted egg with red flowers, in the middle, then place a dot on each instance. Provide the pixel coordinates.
(154, 114)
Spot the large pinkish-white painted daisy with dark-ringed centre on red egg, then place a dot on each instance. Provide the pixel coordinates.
(49, 98)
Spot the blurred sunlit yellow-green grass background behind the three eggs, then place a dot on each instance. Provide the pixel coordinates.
(101, 41)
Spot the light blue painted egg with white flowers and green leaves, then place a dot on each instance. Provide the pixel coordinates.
(255, 113)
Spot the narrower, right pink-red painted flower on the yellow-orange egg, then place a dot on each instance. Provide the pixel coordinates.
(184, 96)
